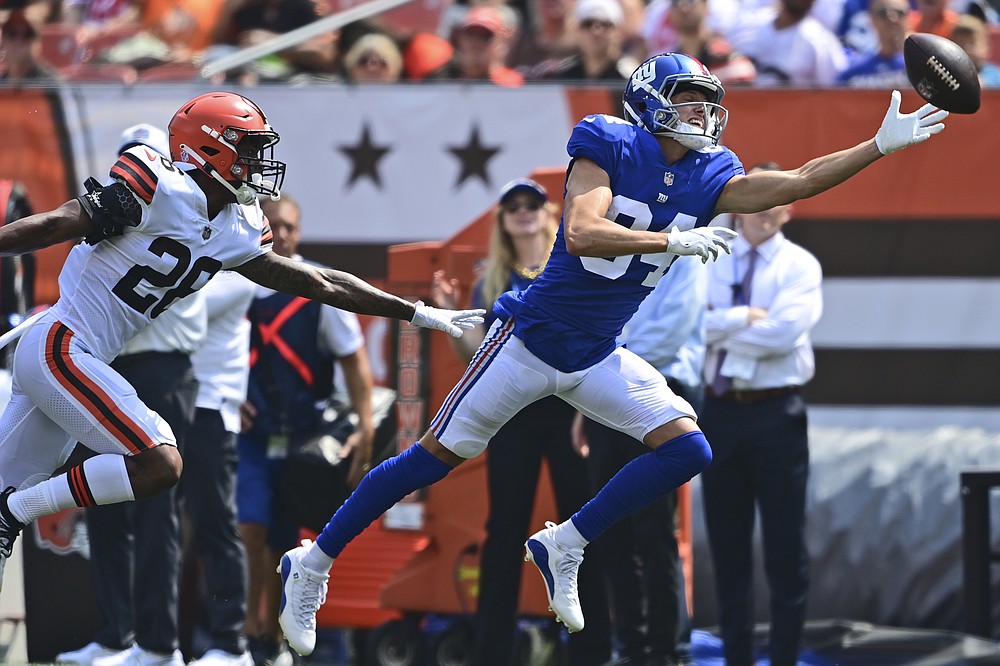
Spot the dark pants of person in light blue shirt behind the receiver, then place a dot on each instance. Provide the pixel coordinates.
(639, 555)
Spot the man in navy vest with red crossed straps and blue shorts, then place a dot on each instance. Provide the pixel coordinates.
(295, 344)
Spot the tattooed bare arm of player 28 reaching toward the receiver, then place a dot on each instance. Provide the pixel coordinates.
(337, 288)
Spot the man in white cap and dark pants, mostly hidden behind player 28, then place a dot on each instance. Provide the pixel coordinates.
(135, 547)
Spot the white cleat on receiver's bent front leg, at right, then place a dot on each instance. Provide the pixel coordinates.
(558, 566)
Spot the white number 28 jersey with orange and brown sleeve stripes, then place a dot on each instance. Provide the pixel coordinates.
(112, 290)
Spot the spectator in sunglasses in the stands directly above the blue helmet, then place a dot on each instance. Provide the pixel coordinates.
(689, 33)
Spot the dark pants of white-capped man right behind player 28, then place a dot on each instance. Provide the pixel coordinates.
(135, 549)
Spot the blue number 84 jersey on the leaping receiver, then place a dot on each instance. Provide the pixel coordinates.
(571, 316)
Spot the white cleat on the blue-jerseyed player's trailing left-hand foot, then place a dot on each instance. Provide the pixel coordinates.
(303, 591)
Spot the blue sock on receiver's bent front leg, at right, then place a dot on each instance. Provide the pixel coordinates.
(642, 481)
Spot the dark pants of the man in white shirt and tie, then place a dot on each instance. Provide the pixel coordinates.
(761, 461)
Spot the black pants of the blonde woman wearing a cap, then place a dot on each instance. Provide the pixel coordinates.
(513, 463)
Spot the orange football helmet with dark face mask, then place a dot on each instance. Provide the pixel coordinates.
(227, 136)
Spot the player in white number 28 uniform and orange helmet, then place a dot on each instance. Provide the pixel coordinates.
(159, 232)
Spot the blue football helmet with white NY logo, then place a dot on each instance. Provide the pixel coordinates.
(648, 99)
